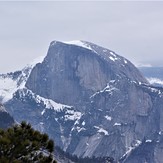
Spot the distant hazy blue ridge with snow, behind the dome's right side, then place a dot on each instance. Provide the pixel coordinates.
(153, 74)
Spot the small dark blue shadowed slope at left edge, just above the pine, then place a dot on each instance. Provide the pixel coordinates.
(5, 119)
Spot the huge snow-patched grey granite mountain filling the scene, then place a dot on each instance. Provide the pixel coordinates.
(90, 100)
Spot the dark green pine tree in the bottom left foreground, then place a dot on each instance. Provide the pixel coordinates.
(23, 144)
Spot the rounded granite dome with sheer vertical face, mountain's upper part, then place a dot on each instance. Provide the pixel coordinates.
(70, 74)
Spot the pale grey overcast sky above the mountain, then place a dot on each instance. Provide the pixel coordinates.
(131, 29)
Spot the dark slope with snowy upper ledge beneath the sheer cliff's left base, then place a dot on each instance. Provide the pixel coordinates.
(45, 115)
